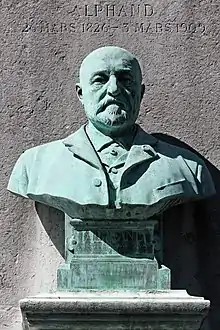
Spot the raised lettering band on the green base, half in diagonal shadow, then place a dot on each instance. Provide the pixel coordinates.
(130, 243)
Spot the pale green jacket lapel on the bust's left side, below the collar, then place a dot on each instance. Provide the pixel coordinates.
(79, 144)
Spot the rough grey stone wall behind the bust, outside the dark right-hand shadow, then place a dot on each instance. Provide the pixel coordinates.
(177, 43)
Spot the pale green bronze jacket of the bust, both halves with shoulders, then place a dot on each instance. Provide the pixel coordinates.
(68, 175)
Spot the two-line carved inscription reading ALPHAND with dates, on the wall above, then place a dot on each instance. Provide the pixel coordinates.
(115, 18)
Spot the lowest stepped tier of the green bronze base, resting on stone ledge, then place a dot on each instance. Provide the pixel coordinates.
(111, 274)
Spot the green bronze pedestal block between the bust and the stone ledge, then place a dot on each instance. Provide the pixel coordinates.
(116, 255)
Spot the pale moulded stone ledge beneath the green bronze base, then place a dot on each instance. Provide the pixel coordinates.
(159, 310)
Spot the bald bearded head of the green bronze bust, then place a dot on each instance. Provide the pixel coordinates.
(110, 89)
